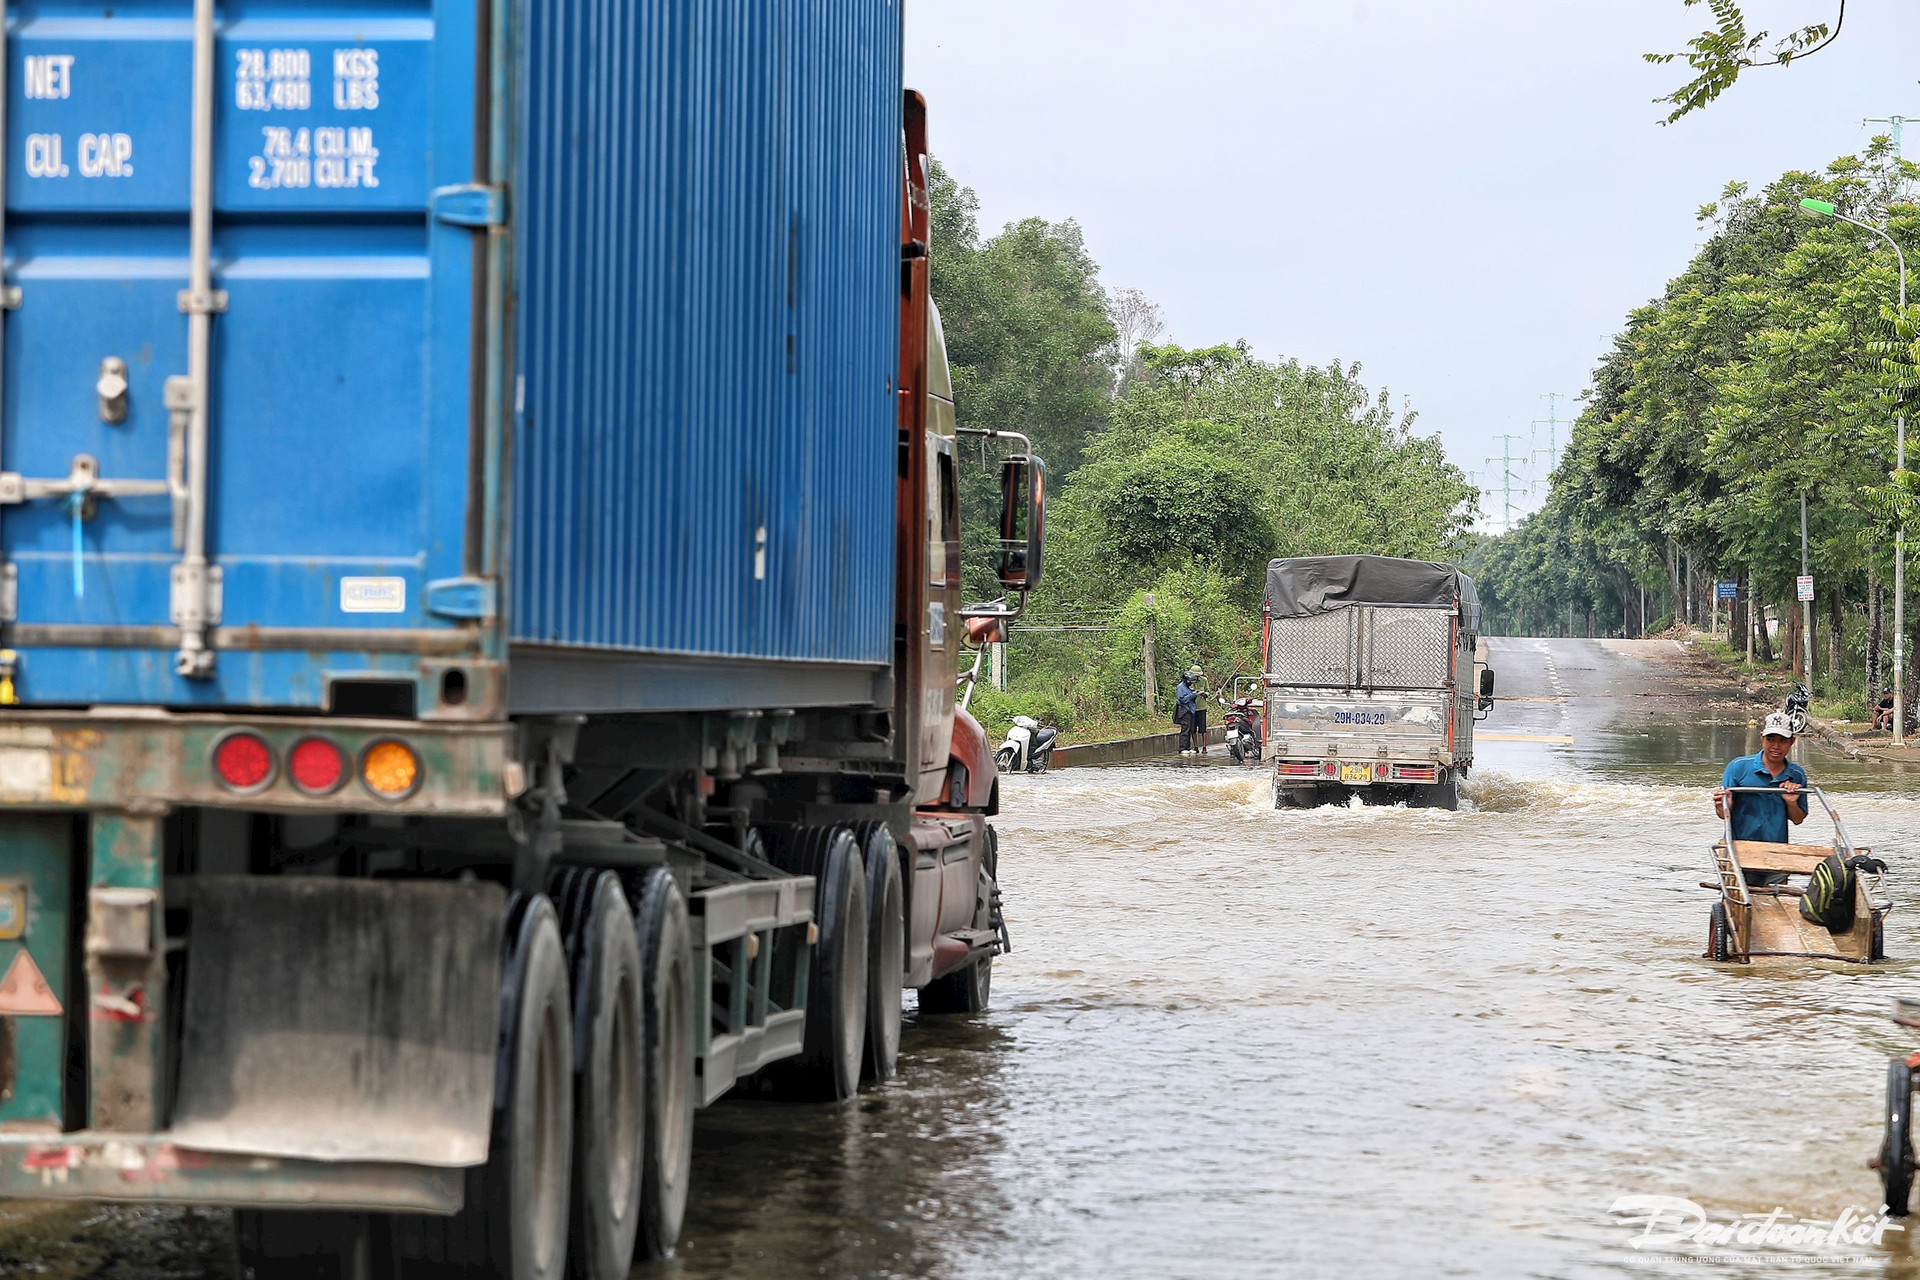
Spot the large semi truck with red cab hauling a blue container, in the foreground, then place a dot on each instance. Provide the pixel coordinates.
(481, 611)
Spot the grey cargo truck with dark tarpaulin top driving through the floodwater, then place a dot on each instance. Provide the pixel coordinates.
(1372, 680)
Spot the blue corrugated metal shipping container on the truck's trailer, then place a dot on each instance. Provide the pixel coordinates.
(540, 331)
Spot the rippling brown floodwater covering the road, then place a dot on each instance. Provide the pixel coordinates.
(1237, 1043)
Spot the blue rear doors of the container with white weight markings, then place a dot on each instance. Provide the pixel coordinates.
(241, 492)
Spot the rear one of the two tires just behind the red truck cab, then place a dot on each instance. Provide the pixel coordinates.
(828, 1068)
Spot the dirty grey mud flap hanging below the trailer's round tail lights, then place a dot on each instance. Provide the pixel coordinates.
(341, 1020)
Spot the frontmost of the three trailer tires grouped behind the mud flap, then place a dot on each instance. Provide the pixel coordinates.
(667, 987)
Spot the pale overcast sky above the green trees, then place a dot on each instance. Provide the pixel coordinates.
(1466, 197)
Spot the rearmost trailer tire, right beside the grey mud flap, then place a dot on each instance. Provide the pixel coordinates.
(516, 1220)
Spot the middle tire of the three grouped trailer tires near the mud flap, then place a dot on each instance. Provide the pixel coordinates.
(610, 1078)
